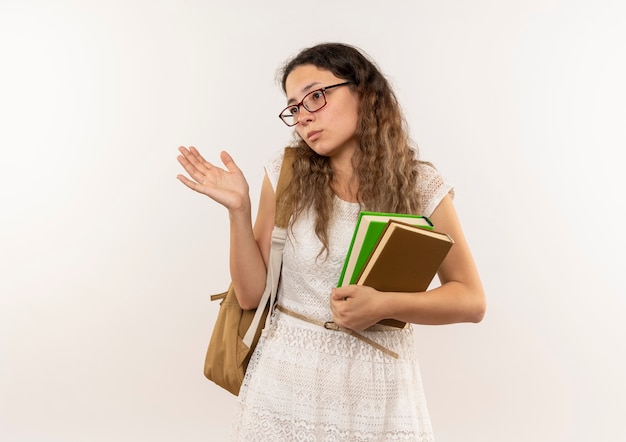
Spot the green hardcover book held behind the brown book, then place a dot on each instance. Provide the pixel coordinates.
(369, 228)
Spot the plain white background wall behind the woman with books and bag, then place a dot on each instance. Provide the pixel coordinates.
(107, 261)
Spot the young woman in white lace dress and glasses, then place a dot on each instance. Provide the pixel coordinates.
(305, 381)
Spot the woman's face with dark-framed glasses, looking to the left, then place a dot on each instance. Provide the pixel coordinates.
(331, 131)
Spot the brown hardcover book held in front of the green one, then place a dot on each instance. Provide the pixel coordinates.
(405, 259)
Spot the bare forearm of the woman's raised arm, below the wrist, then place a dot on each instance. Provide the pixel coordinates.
(247, 267)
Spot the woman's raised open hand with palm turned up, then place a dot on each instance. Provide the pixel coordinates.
(228, 187)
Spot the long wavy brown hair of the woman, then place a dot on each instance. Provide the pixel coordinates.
(386, 164)
